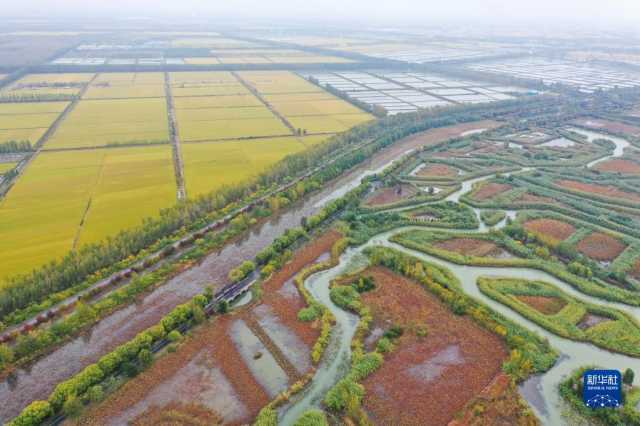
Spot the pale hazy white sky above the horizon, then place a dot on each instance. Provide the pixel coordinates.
(585, 11)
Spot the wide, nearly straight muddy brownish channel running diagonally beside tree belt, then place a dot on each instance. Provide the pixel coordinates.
(38, 380)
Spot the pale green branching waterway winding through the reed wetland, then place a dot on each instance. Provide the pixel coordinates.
(540, 391)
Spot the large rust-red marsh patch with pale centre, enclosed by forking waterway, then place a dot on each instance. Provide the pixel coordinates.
(457, 358)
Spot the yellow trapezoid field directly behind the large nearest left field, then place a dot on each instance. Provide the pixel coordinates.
(114, 121)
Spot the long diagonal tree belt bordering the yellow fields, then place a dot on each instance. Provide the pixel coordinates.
(78, 266)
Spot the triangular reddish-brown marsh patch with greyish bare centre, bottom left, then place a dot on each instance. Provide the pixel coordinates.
(206, 369)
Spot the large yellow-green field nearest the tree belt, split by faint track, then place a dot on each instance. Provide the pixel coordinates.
(40, 217)
